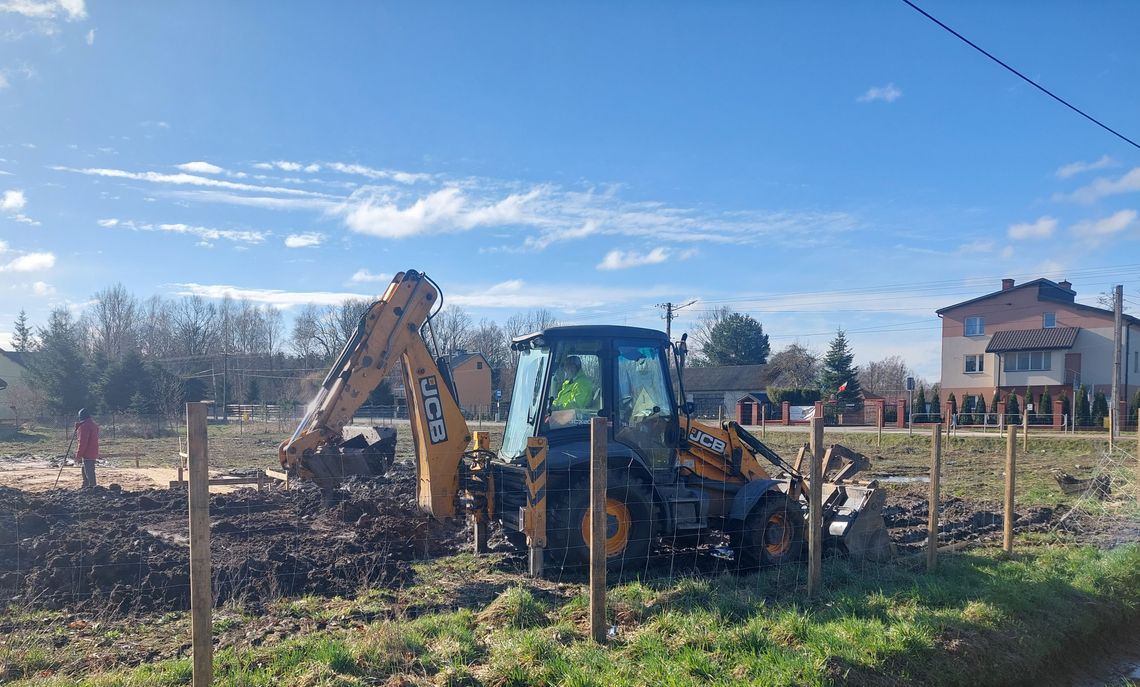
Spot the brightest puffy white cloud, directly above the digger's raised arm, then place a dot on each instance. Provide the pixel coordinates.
(443, 211)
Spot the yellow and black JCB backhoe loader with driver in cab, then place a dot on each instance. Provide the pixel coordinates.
(671, 477)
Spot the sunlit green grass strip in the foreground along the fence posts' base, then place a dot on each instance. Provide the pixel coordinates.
(981, 619)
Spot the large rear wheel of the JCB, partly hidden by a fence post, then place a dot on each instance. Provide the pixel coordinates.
(568, 514)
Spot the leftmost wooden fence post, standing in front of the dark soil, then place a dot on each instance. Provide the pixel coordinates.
(201, 594)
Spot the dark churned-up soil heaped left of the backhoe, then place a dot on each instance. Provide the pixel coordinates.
(107, 551)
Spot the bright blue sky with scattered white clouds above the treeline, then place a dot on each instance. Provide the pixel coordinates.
(818, 166)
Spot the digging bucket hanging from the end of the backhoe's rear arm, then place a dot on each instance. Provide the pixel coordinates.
(364, 452)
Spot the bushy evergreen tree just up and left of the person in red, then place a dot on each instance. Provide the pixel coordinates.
(60, 372)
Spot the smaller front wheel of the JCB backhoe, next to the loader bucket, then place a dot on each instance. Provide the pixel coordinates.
(775, 534)
